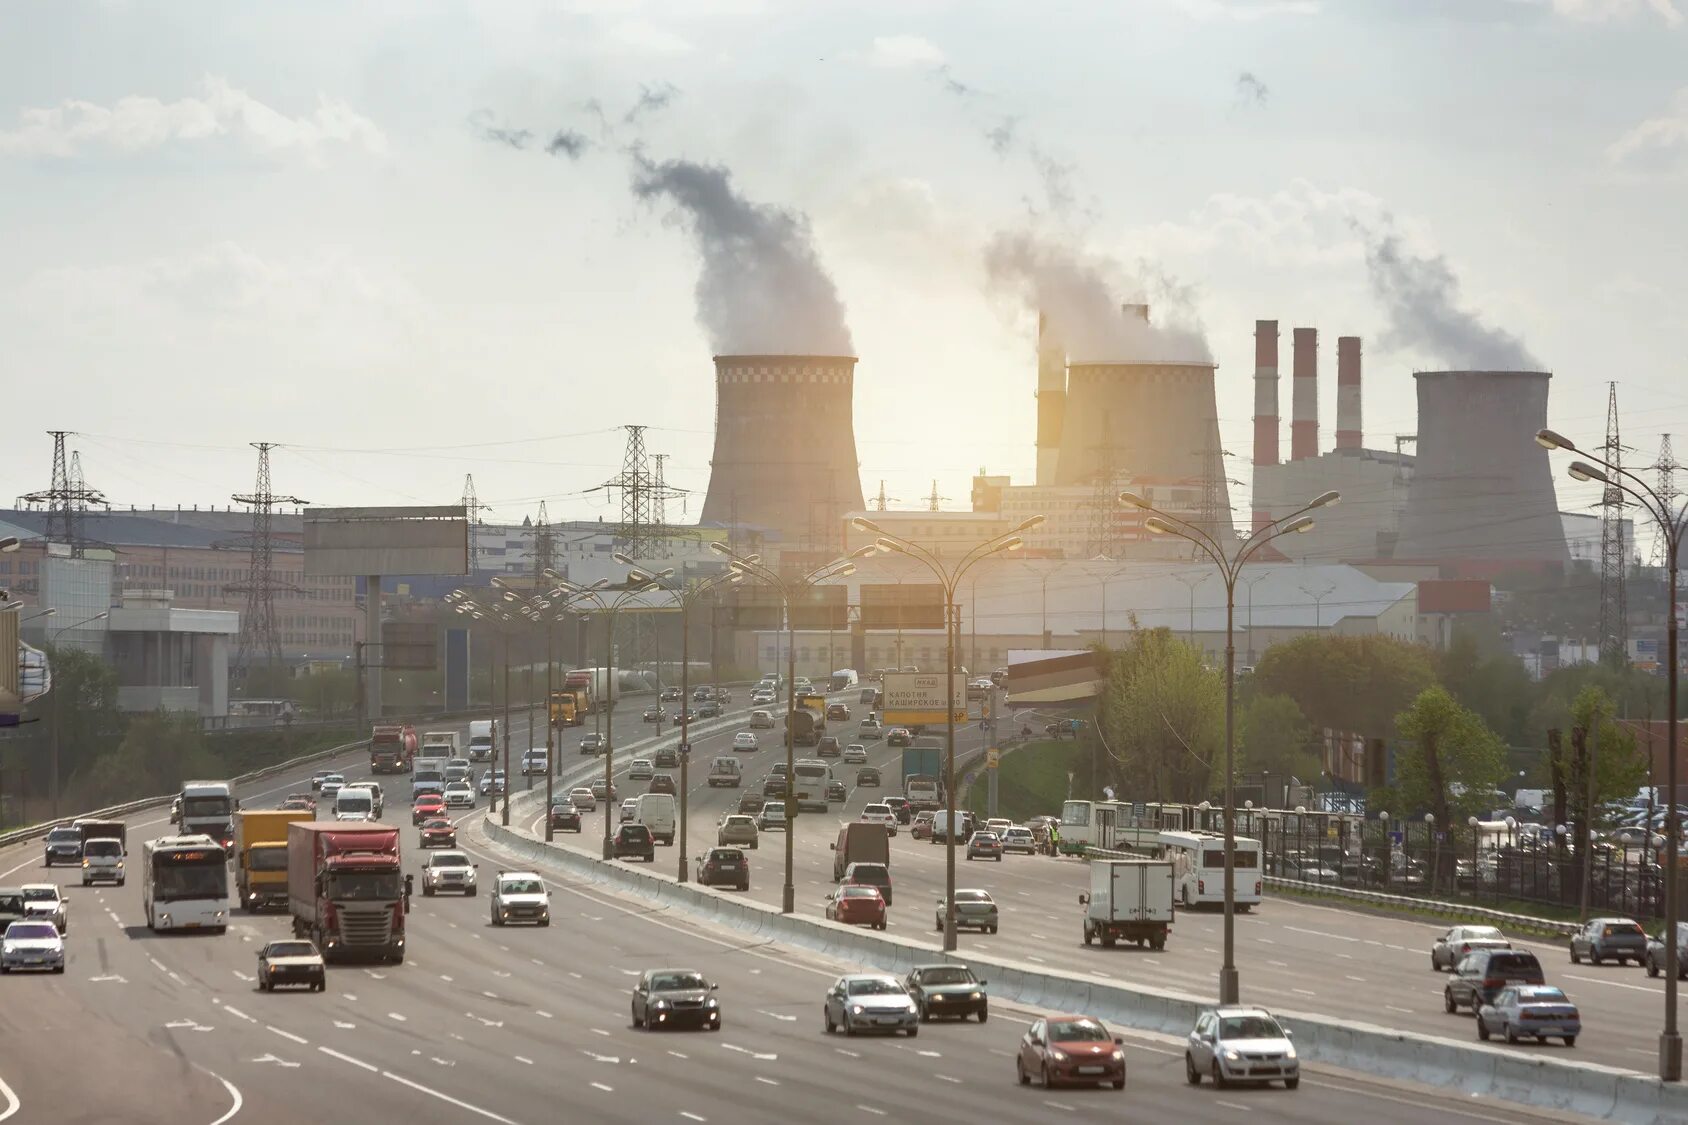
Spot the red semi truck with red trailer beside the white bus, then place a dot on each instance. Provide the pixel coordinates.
(345, 889)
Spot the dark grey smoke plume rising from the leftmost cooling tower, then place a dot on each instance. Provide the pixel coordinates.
(762, 290)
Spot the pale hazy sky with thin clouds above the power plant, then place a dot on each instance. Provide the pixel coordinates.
(413, 242)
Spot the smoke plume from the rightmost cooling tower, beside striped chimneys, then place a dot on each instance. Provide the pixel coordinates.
(1422, 300)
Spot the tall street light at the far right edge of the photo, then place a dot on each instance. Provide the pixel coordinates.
(1670, 519)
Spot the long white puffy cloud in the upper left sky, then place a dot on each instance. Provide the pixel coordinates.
(138, 124)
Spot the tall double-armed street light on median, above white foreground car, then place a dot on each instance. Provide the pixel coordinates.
(1230, 570)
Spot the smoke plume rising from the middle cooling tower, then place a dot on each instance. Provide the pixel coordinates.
(1079, 295)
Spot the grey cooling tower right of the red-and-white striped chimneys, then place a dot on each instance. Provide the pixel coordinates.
(1483, 489)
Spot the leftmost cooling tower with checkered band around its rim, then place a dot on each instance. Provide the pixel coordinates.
(786, 445)
